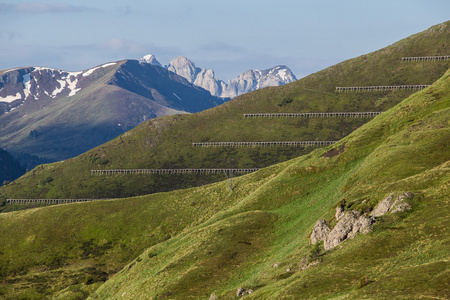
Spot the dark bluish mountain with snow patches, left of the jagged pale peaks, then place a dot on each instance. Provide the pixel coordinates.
(58, 114)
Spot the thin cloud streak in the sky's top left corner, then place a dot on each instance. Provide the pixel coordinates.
(43, 8)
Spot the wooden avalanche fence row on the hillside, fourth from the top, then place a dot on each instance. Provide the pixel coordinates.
(265, 144)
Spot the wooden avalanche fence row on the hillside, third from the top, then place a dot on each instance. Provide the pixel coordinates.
(369, 114)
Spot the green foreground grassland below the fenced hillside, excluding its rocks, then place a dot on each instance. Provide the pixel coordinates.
(209, 242)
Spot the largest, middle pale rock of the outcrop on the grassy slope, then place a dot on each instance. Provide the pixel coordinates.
(348, 226)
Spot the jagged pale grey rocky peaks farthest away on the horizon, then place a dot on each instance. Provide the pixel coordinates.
(246, 82)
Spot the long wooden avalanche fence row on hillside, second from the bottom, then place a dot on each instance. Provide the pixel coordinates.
(173, 171)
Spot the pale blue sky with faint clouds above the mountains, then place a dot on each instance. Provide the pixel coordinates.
(229, 36)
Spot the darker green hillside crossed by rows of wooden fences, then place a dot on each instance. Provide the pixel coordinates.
(167, 142)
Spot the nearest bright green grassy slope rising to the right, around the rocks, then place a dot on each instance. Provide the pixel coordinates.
(404, 149)
